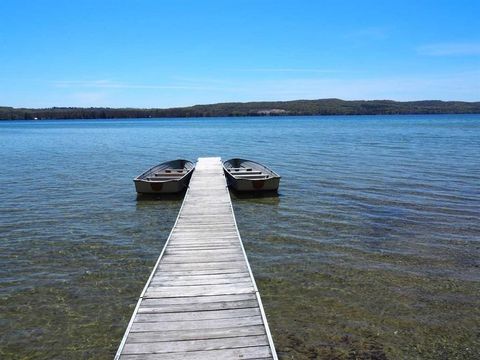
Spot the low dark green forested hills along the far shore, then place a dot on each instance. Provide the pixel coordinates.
(279, 108)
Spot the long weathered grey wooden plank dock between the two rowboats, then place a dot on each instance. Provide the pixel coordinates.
(201, 300)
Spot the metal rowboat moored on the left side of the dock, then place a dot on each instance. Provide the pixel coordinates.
(166, 178)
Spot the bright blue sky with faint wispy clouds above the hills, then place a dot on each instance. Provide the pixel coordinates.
(163, 53)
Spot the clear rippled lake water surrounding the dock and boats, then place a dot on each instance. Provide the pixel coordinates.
(370, 251)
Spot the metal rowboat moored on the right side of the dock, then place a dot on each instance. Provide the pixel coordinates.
(247, 175)
